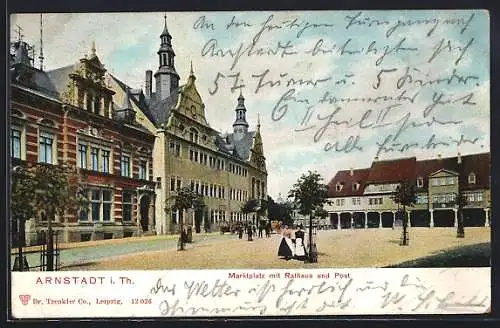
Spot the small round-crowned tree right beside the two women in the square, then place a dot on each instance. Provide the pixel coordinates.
(309, 193)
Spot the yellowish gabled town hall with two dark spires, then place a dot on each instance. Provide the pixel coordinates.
(226, 169)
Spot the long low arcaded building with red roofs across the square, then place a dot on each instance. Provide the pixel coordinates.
(361, 198)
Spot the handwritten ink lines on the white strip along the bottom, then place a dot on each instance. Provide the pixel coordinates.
(321, 292)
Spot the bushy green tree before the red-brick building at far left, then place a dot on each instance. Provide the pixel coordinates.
(51, 189)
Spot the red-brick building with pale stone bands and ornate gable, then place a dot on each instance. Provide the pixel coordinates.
(70, 115)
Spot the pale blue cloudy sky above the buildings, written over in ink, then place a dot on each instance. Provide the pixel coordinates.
(332, 89)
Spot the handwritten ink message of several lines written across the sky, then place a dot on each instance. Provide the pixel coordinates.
(386, 82)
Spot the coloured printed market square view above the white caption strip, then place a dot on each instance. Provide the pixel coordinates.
(248, 141)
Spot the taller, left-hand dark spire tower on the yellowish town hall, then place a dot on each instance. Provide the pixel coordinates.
(167, 79)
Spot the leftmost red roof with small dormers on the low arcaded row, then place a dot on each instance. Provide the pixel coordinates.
(345, 178)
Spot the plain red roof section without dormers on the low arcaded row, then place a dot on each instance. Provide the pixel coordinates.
(392, 170)
